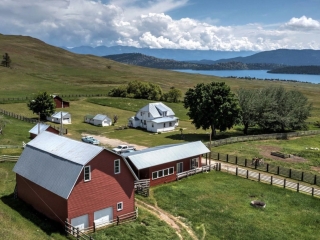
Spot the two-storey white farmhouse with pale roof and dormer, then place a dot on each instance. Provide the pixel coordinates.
(155, 117)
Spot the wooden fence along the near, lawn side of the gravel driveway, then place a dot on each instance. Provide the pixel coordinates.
(282, 182)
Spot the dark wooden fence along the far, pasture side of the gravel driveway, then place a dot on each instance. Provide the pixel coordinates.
(281, 171)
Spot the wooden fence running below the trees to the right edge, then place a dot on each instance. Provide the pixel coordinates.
(263, 137)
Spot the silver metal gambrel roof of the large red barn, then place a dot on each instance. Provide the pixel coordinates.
(55, 162)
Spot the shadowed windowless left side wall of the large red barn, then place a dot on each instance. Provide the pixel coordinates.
(44, 201)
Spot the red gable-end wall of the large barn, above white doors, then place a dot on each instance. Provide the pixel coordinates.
(104, 190)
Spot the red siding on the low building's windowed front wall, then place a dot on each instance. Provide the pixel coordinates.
(147, 173)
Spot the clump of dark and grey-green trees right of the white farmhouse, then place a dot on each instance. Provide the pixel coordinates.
(213, 106)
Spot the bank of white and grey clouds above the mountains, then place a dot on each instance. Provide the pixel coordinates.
(142, 23)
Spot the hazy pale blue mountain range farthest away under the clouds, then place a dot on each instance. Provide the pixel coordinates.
(175, 54)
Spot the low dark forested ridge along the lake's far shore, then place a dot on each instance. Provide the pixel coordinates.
(153, 62)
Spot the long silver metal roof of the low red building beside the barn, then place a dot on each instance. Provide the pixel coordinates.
(164, 154)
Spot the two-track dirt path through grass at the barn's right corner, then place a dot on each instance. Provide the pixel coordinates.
(172, 221)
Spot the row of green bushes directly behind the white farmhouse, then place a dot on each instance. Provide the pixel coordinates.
(146, 90)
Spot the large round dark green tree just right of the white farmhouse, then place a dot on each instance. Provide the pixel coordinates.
(212, 106)
